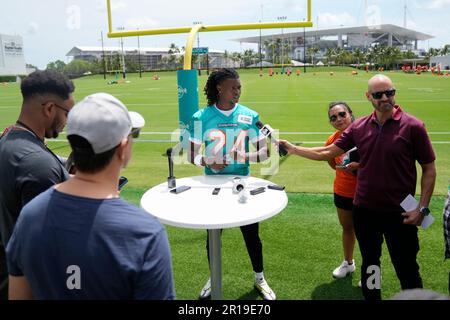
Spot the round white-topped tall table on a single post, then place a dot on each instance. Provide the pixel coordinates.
(198, 208)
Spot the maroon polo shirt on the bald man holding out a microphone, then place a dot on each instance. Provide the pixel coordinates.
(388, 152)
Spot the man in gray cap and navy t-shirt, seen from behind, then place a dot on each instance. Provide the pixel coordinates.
(79, 240)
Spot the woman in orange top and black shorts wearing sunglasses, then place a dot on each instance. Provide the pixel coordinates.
(341, 116)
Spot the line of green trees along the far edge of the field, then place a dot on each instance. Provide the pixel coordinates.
(277, 52)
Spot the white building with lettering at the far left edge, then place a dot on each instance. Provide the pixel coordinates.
(12, 59)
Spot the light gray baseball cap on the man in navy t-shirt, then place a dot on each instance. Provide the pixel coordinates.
(103, 121)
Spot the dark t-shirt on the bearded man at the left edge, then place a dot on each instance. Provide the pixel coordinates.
(27, 168)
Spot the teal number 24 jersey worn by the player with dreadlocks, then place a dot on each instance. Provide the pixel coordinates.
(223, 135)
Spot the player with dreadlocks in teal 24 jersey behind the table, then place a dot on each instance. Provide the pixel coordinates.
(226, 127)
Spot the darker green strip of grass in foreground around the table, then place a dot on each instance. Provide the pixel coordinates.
(301, 245)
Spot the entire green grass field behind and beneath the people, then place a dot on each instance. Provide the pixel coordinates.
(298, 262)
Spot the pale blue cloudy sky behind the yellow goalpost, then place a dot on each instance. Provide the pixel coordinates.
(51, 28)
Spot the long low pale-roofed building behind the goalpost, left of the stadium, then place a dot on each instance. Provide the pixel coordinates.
(150, 57)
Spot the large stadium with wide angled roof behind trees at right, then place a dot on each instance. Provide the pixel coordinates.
(347, 38)
